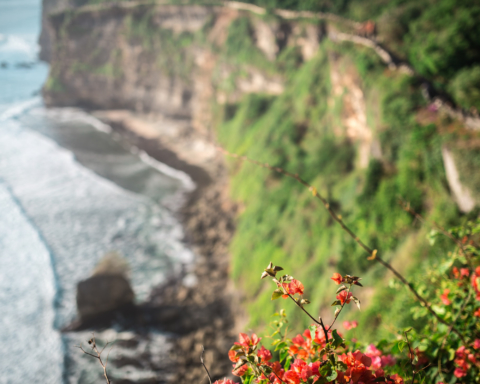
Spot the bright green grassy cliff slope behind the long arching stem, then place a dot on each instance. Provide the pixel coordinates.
(282, 223)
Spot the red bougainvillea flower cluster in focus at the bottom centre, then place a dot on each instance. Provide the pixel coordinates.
(319, 354)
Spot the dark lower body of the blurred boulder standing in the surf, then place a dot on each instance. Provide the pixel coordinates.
(101, 294)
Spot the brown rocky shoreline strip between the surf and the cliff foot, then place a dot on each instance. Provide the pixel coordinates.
(207, 314)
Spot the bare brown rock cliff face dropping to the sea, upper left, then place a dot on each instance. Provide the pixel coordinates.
(160, 59)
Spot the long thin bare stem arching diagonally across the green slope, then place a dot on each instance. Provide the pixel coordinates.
(373, 254)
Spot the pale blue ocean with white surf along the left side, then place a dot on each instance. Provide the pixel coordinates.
(70, 192)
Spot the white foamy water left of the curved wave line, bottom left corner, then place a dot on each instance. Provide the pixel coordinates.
(27, 290)
